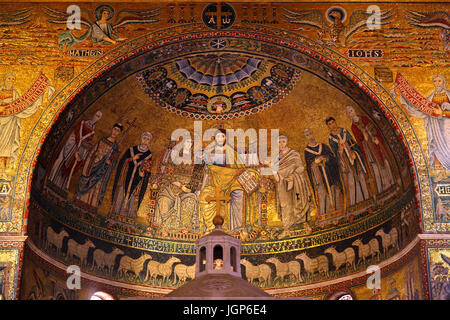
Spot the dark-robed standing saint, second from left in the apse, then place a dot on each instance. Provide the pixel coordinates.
(97, 170)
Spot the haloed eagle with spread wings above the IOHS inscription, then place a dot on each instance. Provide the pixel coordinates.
(335, 28)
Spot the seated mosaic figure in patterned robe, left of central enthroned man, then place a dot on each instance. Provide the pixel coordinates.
(177, 203)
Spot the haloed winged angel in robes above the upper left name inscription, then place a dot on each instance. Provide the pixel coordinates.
(103, 27)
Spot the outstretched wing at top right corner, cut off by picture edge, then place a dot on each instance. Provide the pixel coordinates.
(435, 19)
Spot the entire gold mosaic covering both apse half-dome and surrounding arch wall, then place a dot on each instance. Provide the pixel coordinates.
(88, 117)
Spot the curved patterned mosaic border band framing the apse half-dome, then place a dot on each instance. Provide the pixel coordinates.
(263, 33)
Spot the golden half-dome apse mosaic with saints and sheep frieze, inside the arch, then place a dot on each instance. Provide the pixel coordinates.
(112, 188)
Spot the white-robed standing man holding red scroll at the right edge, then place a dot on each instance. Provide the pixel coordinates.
(437, 124)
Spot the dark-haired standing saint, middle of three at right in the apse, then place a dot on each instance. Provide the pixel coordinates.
(351, 163)
